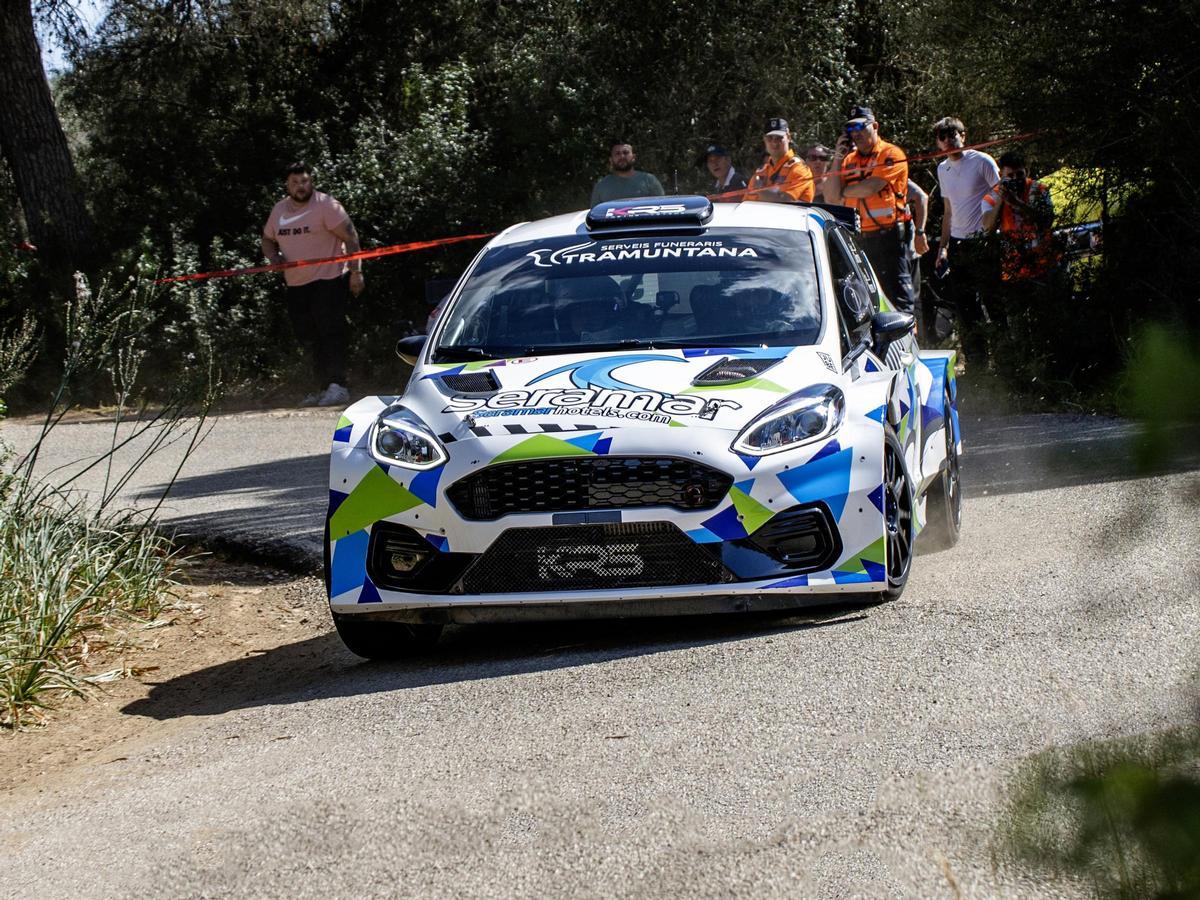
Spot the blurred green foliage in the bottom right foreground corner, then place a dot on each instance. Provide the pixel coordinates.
(1123, 815)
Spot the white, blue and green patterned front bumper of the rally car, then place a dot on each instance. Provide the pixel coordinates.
(841, 477)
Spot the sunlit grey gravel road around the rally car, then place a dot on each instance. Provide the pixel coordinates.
(860, 754)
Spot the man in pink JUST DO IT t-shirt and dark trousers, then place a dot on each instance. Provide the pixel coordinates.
(310, 225)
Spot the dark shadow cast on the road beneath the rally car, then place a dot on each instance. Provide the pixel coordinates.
(321, 668)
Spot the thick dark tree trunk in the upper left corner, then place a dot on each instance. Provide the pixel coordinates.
(37, 149)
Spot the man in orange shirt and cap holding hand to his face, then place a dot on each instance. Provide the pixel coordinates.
(874, 179)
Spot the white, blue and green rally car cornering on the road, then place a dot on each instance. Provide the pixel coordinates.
(663, 406)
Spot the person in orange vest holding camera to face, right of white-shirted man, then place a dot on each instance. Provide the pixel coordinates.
(1023, 211)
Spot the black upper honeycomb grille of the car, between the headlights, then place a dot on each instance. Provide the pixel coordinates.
(587, 483)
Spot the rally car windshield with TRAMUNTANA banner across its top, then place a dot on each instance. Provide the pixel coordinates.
(574, 295)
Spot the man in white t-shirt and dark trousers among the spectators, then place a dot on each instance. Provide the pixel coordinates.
(964, 177)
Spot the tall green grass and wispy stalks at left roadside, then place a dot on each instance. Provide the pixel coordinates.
(73, 561)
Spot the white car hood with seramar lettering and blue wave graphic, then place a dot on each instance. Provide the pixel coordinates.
(719, 388)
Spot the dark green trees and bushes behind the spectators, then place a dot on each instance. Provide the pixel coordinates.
(453, 117)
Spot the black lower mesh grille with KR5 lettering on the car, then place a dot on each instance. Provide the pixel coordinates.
(590, 557)
